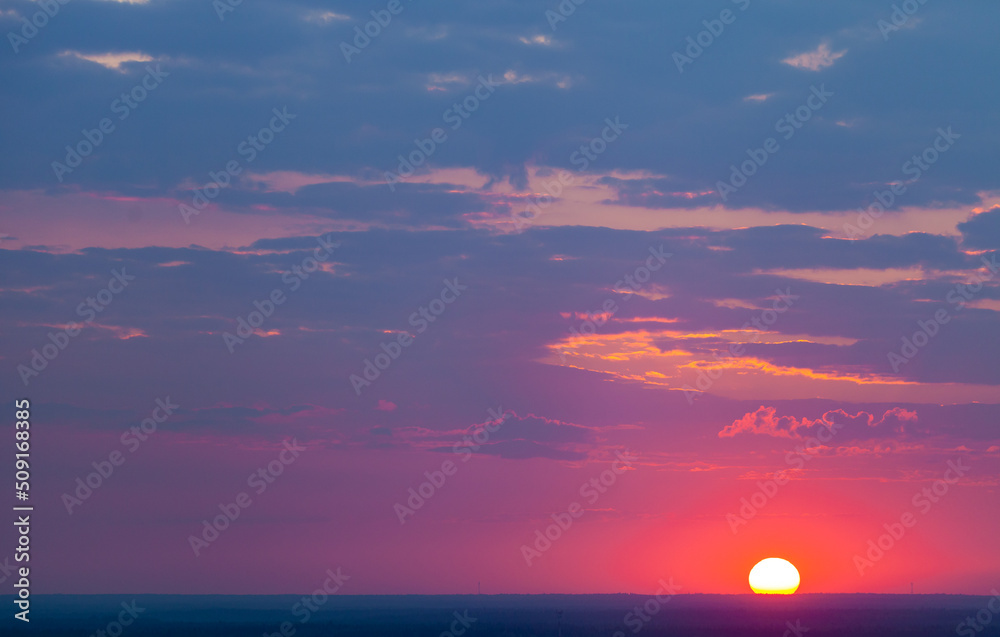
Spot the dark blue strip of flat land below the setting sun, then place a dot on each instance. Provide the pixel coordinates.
(509, 615)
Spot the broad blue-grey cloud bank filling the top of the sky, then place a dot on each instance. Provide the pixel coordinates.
(607, 60)
